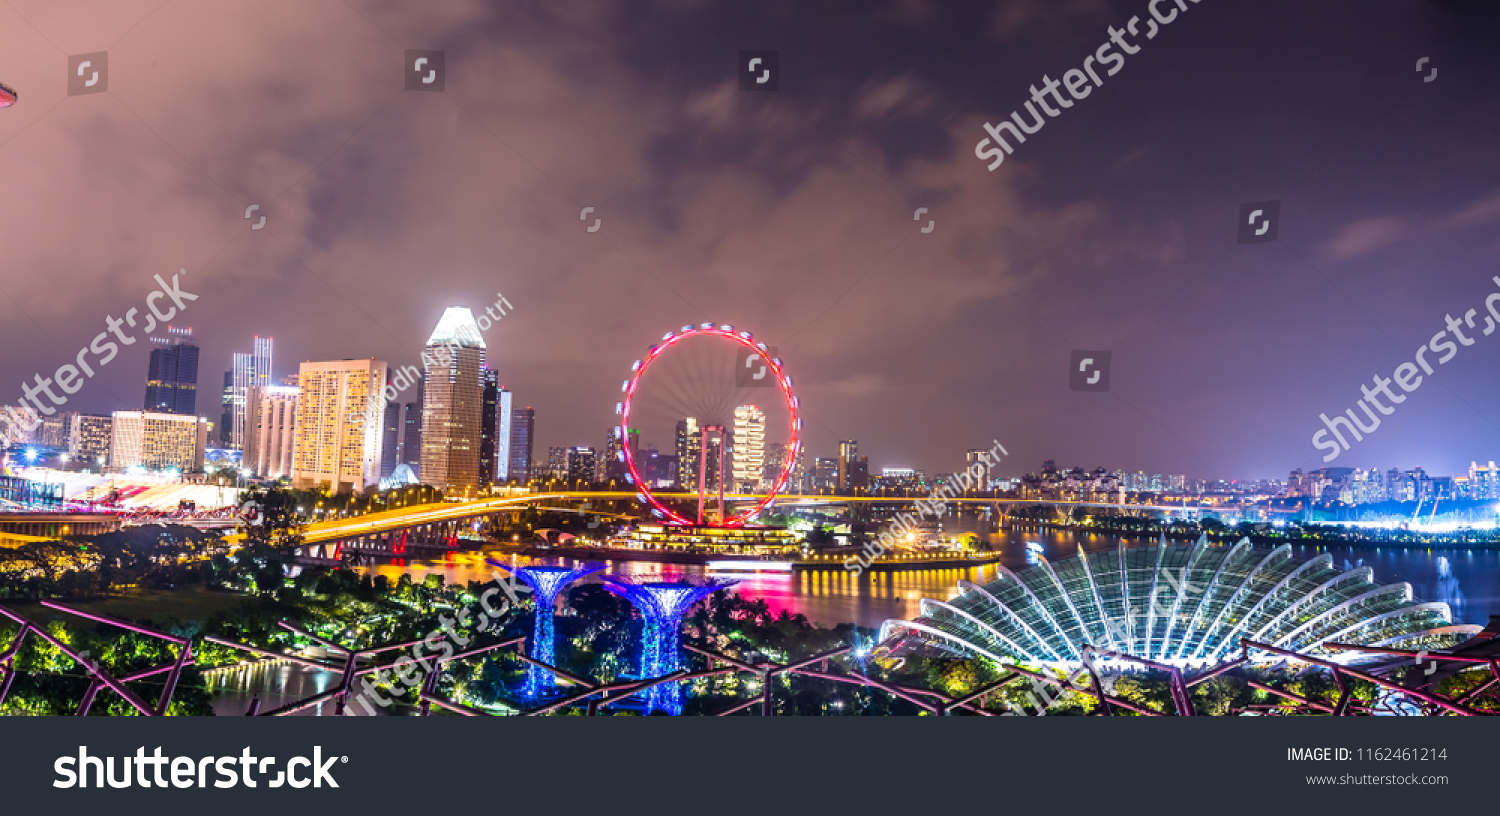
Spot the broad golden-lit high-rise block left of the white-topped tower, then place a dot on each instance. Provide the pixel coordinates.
(335, 448)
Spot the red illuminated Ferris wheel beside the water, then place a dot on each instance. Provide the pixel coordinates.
(769, 373)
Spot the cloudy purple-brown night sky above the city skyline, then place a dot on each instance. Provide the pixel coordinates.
(790, 212)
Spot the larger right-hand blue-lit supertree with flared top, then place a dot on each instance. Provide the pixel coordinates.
(664, 607)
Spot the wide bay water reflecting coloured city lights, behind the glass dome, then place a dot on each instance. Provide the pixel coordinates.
(1468, 580)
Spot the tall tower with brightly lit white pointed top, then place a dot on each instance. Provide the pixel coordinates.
(452, 403)
